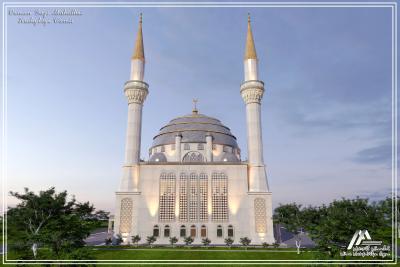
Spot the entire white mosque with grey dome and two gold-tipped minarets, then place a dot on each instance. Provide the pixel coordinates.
(194, 182)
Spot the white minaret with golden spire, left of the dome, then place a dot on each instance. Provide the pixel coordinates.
(136, 91)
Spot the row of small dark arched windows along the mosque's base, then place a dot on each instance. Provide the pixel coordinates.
(192, 231)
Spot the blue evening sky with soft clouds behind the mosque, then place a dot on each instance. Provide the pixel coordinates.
(326, 111)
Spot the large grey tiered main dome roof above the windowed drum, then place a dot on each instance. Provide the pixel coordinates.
(194, 128)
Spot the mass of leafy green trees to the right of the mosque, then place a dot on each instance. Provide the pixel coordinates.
(332, 226)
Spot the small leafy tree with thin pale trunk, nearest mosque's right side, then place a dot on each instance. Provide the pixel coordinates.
(290, 216)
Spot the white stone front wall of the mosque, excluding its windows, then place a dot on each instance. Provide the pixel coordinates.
(240, 204)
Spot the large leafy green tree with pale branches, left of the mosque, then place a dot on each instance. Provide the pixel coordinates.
(48, 219)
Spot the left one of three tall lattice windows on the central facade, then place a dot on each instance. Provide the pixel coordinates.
(167, 197)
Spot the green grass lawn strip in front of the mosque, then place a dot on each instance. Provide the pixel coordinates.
(200, 253)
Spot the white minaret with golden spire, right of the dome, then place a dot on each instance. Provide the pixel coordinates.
(252, 91)
